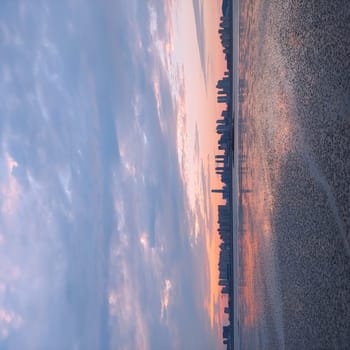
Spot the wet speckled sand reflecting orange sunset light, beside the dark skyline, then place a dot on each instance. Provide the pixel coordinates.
(294, 276)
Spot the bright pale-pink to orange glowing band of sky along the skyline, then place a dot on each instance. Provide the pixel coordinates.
(198, 121)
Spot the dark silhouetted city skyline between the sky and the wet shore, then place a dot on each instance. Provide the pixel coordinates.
(223, 167)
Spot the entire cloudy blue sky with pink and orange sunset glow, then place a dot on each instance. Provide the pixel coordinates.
(107, 143)
